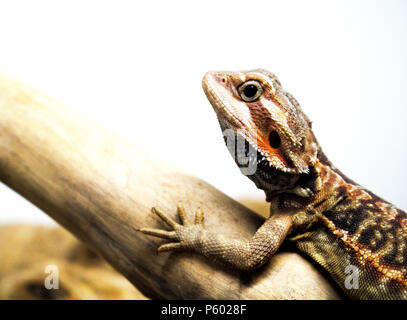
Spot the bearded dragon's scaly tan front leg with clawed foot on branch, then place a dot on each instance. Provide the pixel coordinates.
(240, 254)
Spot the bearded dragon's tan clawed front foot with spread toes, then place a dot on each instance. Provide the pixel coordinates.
(184, 235)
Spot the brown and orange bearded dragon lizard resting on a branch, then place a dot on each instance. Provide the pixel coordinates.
(335, 221)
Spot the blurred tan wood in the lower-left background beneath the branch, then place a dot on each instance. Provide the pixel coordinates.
(26, 251)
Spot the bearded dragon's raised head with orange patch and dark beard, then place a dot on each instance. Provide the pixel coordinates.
(255, 106)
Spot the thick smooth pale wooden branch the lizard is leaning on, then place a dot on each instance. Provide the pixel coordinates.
(102, 188)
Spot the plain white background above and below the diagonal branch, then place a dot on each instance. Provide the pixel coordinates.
(136, 68)
